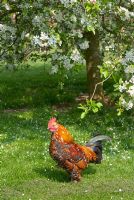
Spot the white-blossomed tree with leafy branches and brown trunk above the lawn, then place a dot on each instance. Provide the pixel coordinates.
(97, 34)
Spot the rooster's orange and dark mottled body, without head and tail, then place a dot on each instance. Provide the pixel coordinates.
(69, 155)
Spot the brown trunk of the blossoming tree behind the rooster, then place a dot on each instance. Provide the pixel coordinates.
(93, 59)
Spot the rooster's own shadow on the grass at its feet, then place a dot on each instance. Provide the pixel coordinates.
(58, 174)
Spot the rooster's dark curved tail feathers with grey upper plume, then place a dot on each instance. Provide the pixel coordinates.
(96, 145)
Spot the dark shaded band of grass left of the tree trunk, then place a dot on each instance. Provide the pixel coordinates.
(35, 87)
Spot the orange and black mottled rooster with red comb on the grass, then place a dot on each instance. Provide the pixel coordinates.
(69, 155)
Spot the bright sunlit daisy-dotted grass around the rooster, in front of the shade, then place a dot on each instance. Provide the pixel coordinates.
(28, 172)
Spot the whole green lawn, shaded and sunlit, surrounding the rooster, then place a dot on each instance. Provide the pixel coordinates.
(27, 100)
